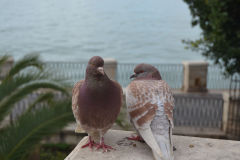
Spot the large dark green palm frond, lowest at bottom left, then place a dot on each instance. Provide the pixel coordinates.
(31, 127)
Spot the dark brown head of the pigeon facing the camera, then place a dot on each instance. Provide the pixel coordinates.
(95, 69)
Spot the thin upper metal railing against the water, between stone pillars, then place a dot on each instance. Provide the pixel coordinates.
(171, 73)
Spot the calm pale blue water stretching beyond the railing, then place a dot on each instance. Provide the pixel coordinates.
(71, 30)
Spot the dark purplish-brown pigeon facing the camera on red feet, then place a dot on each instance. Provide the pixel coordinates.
(96, 103)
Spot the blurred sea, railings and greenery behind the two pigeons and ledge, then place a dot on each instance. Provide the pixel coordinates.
(45, 46)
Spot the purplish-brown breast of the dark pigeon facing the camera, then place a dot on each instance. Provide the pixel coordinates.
(99, 108)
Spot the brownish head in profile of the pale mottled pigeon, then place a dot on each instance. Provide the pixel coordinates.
(146, 71)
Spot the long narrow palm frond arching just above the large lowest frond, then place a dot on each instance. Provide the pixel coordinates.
(7, 102)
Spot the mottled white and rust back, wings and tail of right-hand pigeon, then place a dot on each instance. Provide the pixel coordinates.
(146, 100)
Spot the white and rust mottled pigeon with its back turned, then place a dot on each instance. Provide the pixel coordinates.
(150, 106)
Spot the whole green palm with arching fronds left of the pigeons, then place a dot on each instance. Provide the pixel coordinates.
(25, 77)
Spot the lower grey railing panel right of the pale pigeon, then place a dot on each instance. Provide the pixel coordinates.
(199, 111)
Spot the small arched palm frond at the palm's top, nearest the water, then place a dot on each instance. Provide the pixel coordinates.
(25, 62)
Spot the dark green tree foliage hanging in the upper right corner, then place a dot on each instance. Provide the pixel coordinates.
(220, 37)
